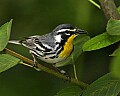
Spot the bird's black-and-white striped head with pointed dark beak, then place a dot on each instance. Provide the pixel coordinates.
(65, 31)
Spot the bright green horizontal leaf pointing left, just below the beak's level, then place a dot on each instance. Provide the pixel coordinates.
(100, 41)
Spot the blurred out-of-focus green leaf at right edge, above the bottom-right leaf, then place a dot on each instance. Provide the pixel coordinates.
(115, 64)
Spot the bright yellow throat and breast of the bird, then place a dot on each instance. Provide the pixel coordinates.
(68, 47)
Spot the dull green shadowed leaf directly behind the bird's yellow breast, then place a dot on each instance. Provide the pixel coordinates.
(78, 43)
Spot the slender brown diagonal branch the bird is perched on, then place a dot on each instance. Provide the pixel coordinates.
(46, 69)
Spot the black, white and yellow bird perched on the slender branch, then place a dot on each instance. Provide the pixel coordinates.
(52, 47)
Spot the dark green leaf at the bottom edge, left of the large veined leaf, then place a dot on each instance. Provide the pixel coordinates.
(70, 91)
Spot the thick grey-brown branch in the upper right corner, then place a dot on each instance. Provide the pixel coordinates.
(109, 9)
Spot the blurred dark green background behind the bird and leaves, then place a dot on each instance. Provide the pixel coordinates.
(31, 17)
